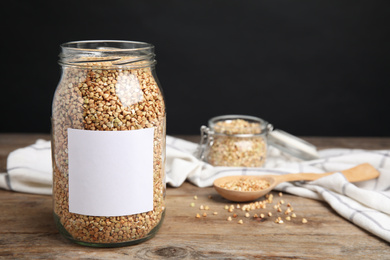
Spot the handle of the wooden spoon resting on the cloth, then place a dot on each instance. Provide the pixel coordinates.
(361, 172)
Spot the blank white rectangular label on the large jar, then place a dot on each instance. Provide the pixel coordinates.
(110, 172)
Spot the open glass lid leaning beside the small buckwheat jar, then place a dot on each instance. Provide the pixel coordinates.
(292, 145)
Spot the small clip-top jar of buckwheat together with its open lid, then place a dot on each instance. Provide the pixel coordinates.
(242, 141)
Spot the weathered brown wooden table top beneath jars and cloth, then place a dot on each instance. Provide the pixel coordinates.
(27, 228)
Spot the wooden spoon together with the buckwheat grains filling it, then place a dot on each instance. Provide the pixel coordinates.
(235, 188)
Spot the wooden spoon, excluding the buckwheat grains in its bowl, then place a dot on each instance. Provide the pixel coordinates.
(362, 172)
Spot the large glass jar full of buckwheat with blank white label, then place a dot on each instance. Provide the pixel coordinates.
(108, 144)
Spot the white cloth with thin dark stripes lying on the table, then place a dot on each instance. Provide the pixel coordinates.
(366, 204)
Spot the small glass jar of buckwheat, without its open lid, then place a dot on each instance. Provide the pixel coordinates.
(235, 140)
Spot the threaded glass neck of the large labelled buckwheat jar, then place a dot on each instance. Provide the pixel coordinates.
(107, 54)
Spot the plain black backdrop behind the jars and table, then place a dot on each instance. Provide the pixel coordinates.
(314, 68)
